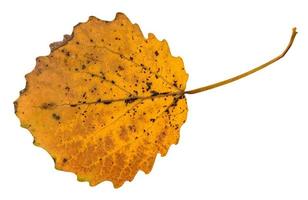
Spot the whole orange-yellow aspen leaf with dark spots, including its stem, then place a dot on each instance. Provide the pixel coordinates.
(106, 100)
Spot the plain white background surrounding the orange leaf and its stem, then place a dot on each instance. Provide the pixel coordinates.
(247, 140)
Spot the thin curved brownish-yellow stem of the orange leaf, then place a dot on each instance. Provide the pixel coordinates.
(235, 78)
